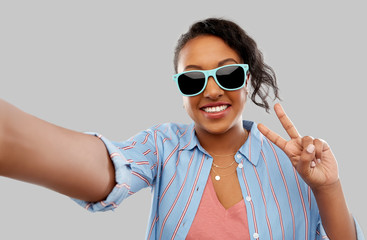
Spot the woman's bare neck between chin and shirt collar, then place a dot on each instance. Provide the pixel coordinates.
(222, 143)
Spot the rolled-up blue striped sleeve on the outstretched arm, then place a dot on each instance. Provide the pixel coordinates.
(135, 163)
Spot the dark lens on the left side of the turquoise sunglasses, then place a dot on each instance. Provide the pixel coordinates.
(191, 82)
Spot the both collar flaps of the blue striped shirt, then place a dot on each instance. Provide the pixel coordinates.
(251, 149)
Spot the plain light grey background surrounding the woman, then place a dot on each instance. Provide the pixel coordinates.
(106, 66)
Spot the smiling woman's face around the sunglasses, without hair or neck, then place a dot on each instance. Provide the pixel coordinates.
(214, 111)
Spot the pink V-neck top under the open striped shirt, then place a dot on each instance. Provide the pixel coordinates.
(213, 221)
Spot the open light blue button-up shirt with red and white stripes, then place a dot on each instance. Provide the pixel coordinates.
(169, 159)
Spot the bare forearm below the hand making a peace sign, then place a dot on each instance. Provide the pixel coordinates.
(336, 219)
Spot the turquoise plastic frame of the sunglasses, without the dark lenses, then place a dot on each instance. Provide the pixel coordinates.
(211, 73)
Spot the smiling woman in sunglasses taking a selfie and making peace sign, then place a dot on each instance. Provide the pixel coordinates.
(220, 177)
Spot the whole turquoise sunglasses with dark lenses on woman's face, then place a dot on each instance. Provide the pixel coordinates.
(229, 77)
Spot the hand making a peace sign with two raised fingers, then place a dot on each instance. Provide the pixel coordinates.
(312, 158)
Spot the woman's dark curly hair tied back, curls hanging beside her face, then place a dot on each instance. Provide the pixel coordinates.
(262, 76)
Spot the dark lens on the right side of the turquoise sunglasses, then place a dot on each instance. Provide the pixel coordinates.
(231, 77)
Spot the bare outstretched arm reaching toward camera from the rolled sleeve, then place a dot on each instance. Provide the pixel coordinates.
(66, 161)
